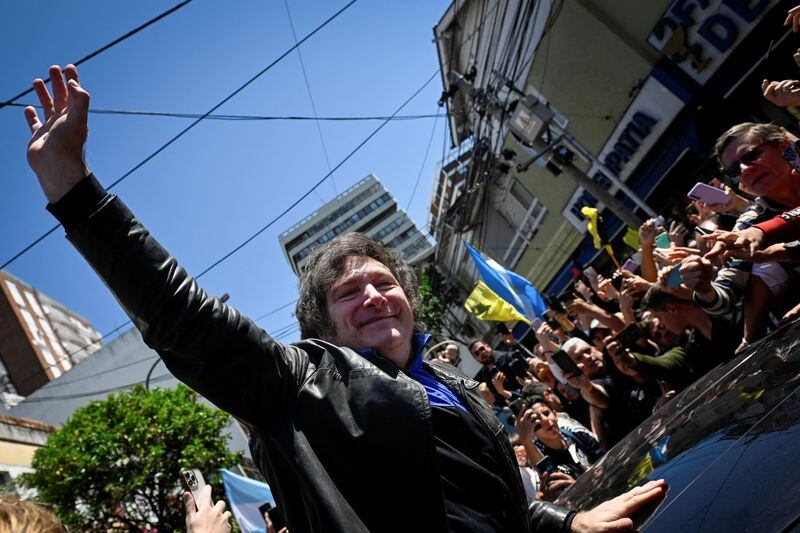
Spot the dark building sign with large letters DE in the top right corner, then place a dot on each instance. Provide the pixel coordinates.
(699, 34)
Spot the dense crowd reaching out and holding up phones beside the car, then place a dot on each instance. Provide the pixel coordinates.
(700, 289)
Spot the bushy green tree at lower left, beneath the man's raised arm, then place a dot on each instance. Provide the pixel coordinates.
(115, 464)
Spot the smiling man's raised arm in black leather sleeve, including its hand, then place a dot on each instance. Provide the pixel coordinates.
(206, 344)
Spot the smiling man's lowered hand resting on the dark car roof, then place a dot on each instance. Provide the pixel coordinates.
(617, 514)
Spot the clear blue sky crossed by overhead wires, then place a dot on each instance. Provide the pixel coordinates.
(223, 180)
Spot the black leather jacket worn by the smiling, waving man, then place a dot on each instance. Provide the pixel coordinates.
(344, 439)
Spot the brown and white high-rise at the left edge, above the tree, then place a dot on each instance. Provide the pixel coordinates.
(40, 339)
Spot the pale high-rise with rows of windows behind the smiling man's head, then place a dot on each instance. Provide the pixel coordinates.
(367, 207)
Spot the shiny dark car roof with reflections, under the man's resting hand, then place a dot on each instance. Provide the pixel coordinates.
(727, 446)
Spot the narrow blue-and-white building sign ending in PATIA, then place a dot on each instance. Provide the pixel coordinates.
(646, 119)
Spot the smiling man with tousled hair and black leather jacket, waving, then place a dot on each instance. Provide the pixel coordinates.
(352, 429)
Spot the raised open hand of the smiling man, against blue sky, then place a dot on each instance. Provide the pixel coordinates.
(55, 151)
